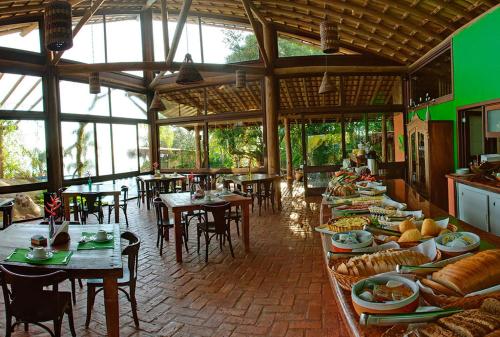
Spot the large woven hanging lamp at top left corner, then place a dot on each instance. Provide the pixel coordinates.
(58, 26)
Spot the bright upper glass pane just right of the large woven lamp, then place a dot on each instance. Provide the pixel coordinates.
(88, 44)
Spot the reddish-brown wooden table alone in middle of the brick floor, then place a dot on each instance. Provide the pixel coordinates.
(181, 202)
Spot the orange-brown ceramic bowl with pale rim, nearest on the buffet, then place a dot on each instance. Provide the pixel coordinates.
(407, 305)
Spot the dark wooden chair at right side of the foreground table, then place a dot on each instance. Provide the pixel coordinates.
(129, 278)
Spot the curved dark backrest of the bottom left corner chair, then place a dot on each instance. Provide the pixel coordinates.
(28, 290)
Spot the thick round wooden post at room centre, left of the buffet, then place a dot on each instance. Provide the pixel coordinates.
(272, 104)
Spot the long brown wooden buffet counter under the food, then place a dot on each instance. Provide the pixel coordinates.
(399, 191)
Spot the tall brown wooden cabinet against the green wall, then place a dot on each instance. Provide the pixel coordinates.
(430, 158)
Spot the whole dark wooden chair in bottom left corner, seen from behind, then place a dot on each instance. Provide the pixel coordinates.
(29, 303)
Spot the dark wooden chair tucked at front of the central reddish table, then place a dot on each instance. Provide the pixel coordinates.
(218, 227)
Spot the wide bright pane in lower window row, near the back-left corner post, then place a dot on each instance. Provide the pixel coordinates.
(125, 148)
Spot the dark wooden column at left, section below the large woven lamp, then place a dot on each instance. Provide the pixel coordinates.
(53, 131)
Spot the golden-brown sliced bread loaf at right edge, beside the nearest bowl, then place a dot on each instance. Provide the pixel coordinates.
(472, 273)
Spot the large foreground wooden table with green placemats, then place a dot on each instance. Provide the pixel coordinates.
(99, 263)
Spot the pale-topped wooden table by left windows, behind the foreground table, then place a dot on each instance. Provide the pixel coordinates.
(105, 189)
